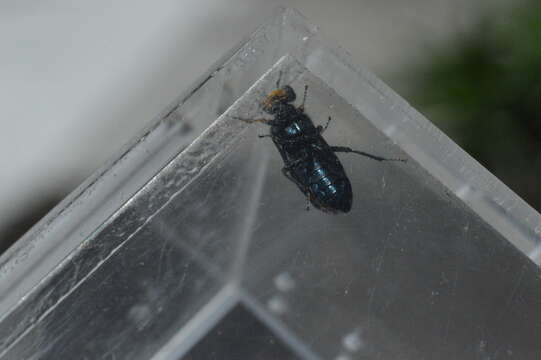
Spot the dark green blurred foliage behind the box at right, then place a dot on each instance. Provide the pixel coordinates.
(484, 90)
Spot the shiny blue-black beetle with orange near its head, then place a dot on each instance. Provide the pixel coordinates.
(309, 162)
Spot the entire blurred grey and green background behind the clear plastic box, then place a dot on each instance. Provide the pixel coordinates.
(80, 79)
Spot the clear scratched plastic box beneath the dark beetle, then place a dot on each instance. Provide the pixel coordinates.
(191, 244)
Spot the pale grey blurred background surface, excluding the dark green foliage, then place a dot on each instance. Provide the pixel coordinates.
(79, 80)
